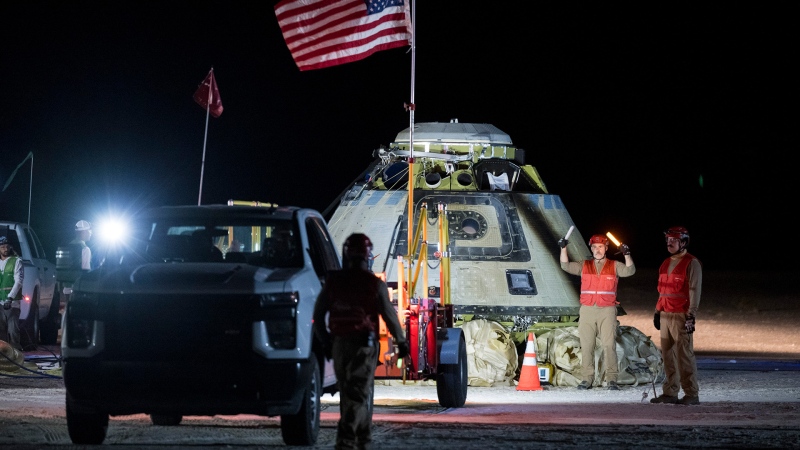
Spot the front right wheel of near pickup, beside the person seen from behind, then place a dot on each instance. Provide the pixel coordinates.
(303, 428)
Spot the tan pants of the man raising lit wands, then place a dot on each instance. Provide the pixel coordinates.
(598, 322)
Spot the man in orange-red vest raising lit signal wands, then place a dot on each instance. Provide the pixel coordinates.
(598, 314)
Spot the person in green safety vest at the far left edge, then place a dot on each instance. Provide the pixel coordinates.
(11, 277)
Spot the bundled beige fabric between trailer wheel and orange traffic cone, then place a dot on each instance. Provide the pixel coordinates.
(491, 353)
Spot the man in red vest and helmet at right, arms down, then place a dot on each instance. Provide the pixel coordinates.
(680, 279)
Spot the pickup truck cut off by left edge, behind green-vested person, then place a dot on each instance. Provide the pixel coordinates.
(39, 311)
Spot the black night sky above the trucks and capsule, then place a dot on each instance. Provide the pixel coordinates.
(639, 116)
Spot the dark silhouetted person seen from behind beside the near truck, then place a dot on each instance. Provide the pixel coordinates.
(353, 298)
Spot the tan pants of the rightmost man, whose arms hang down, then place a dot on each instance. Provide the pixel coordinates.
(677, 349)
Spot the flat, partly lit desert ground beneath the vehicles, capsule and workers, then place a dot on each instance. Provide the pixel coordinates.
(747, 342)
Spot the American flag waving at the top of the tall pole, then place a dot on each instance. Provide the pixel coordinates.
(325, 33)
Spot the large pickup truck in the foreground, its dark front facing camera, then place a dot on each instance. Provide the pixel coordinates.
(206, 311)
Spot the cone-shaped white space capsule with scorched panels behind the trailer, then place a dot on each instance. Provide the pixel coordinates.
(483, 226)
